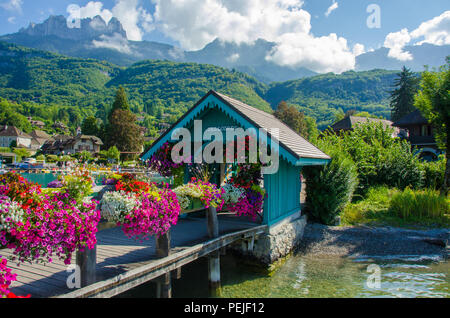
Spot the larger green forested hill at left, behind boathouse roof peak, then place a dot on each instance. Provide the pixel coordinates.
(50, 86)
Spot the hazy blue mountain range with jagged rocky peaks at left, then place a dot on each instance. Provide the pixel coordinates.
(96, 39)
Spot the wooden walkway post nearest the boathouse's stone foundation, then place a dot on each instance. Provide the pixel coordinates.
(213, 258)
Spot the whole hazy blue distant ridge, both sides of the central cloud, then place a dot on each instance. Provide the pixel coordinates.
(108, 41)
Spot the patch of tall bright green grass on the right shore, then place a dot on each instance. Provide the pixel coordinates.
(409, 208)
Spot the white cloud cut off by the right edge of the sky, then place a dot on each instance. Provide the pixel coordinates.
(435, 31)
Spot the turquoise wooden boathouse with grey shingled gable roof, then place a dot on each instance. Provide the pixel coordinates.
(283, 188)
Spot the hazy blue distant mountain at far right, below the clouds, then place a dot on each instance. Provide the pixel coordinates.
(425, 54)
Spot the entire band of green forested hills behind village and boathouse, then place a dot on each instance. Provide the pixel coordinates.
(53, 87)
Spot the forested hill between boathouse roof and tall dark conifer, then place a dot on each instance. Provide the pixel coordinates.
(322, 96)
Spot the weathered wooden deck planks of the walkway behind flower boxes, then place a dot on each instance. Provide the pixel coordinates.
(117, 255)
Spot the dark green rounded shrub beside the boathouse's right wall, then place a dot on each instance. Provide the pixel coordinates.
(330, 188)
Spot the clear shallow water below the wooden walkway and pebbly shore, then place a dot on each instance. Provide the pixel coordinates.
(305, 276)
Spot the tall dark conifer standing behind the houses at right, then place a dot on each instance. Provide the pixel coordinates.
(402, 97)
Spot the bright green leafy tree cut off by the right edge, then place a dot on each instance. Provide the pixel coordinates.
(433, 100)
